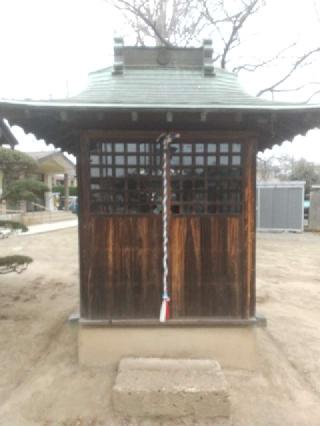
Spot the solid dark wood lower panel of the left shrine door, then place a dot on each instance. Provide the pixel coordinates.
(124, 271)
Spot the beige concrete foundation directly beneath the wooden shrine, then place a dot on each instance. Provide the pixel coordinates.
(232, 347)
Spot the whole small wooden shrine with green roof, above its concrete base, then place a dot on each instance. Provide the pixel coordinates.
(116, 128)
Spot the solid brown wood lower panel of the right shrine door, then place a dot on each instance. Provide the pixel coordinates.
(206, 261)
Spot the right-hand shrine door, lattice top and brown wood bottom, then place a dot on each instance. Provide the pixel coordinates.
(205, 228)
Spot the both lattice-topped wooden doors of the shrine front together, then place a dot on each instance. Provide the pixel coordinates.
(210, 259)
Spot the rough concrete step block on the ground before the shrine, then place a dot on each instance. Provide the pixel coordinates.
(153, 387)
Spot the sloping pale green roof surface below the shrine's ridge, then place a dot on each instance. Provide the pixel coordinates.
(168, 87)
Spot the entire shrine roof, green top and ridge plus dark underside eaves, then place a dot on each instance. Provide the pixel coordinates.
(152, 82)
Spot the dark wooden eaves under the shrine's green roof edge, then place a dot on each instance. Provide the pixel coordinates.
(62, 126)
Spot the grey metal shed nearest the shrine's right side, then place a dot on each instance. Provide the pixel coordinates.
(280, 206)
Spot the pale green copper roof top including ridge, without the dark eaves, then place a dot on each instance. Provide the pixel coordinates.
(163, 78)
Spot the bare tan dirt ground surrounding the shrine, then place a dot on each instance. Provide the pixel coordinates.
(42, 384)
